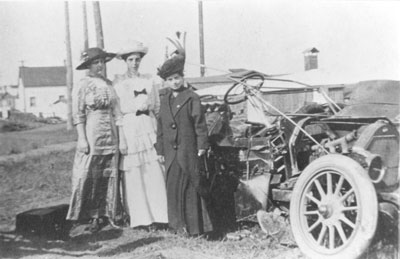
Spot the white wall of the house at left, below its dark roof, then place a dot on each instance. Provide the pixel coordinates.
(40, 100)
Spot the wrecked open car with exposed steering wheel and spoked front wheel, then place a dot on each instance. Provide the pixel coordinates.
(335, 168)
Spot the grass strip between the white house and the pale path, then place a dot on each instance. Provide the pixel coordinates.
(22, 141)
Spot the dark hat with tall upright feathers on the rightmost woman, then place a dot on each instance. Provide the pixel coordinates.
(176, 63)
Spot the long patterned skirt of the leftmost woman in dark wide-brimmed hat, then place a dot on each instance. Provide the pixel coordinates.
(94, 187)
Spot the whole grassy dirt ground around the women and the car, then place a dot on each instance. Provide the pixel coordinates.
(41, 178)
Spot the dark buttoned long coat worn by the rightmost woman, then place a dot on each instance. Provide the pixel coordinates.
(181, 132)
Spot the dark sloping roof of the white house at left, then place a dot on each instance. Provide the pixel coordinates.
(43, 76)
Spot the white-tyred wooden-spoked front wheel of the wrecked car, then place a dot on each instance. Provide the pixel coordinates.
(333, 209)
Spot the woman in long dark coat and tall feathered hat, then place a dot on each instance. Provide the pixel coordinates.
(181, 140)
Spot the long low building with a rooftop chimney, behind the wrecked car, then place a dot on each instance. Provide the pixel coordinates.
(285, 95)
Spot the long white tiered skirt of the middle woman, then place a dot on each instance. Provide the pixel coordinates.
(144, 181)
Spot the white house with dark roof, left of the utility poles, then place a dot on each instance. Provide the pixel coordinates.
(42, 91)
